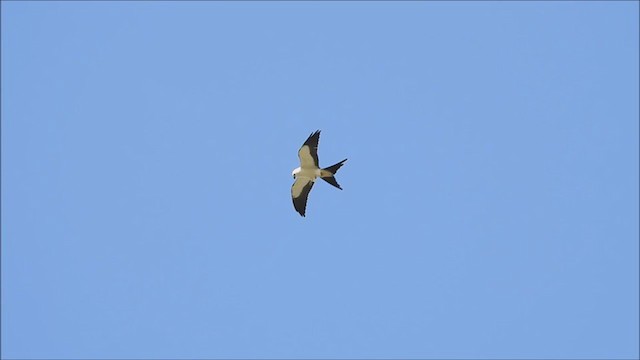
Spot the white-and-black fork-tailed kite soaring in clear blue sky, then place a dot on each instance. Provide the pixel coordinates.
(309, 171)
